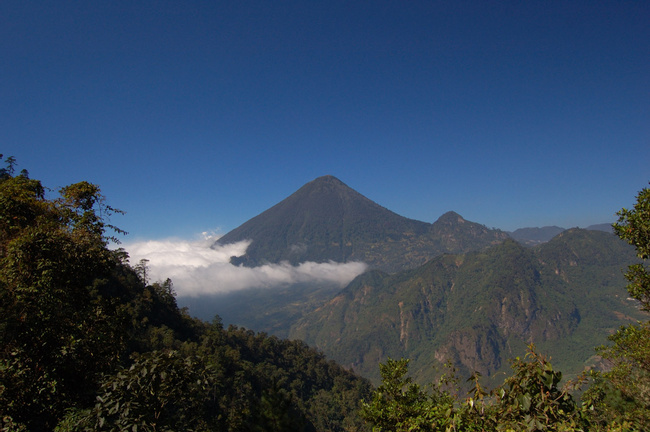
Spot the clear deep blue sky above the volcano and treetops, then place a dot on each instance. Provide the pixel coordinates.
(199, 115)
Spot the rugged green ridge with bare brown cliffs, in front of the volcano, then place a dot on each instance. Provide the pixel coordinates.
(481, 308)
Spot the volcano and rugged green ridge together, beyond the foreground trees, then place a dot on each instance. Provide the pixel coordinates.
(450, 290)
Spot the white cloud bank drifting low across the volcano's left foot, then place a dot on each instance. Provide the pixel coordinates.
(198, 269)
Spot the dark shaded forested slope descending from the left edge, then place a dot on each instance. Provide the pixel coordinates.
(88, 344)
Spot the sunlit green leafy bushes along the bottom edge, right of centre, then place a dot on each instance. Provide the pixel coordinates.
(528, 400)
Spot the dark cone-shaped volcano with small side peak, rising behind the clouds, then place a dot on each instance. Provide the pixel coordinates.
(325, 220)
